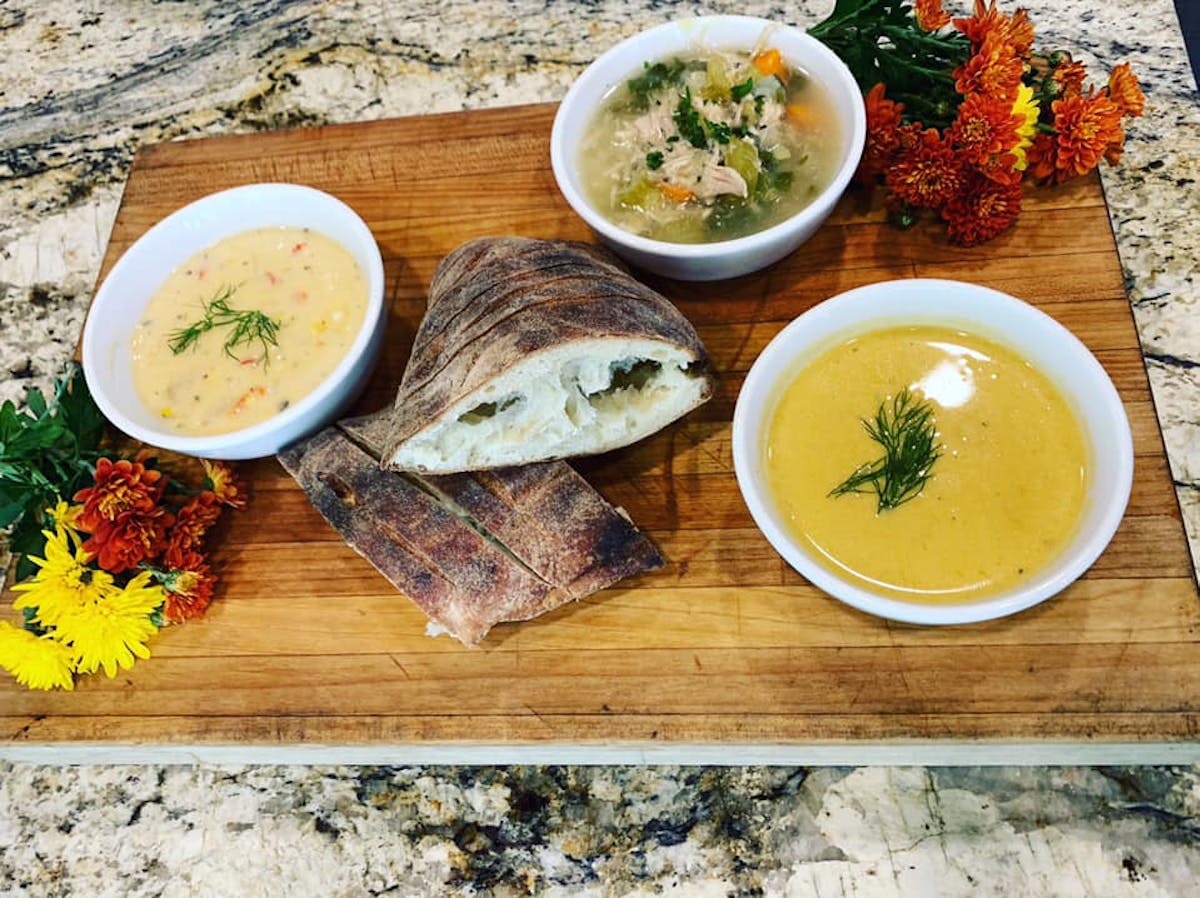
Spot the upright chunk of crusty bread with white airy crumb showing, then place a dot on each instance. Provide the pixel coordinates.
(541, 350)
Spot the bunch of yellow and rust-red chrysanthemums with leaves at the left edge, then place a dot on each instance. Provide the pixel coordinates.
(112, 549)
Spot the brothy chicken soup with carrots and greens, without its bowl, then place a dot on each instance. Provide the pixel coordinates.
(710, 146)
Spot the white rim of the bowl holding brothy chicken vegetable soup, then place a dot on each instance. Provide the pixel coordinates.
(562, 166)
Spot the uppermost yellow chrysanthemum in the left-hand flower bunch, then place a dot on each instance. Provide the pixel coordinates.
(65, 582)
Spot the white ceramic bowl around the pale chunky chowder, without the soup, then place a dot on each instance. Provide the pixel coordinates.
(146, 266)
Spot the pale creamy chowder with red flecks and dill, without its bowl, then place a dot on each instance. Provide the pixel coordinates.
(247, 328)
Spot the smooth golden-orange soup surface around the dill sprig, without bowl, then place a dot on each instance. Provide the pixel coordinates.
(1003, 500)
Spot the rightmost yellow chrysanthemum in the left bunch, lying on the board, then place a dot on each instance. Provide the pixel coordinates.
(113, 627)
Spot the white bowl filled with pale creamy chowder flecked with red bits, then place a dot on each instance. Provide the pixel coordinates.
(239, 324)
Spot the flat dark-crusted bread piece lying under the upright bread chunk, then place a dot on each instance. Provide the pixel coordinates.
(470, 550)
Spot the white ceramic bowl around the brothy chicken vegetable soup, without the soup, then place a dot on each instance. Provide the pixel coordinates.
(727, 259)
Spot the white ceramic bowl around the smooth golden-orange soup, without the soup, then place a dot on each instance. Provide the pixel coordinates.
(1005, 320)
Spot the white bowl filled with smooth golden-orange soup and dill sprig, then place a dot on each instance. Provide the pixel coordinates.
(933, 452)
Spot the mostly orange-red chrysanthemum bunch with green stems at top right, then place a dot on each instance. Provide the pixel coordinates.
(963, 112)
